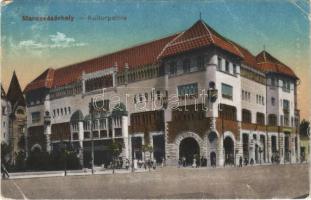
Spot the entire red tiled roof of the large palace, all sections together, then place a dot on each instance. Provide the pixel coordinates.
(197, 36)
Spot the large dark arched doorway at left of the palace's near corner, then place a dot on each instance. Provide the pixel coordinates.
(188, 149)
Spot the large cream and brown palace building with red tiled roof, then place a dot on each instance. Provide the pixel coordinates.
(194, 93)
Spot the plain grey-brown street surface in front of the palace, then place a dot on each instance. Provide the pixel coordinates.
(267, 181)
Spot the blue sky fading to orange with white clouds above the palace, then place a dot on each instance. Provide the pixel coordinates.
(29, 47)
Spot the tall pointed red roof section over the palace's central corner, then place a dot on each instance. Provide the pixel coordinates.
(198, 36)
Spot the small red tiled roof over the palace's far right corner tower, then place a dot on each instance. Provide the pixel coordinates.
(267, 63)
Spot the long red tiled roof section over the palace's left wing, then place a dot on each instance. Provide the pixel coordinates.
(136, 56)
